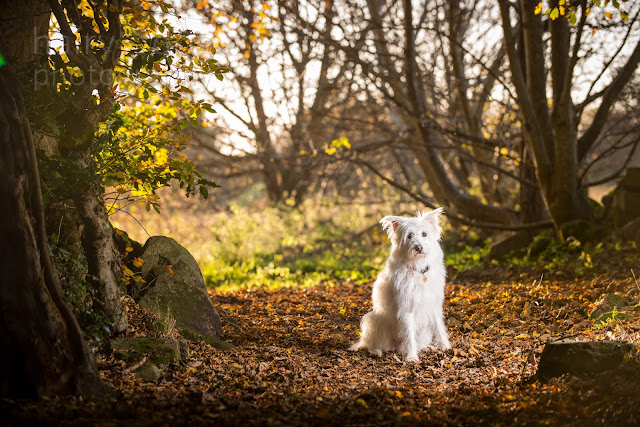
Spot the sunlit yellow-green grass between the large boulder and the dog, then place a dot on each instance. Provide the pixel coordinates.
(248, 246)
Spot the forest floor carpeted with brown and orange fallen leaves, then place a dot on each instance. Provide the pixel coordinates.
(291, 365)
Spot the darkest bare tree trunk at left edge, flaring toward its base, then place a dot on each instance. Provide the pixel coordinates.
(42, 347)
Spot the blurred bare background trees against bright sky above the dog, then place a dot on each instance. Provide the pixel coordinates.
(497, 112)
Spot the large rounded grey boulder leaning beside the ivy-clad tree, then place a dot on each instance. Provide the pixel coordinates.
(175, 287)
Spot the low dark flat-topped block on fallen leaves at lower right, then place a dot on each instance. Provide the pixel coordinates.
(572, 357)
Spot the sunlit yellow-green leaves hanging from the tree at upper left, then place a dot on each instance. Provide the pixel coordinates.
(138, 149)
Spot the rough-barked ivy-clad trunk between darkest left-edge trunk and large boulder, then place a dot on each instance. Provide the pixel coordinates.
(24, 40)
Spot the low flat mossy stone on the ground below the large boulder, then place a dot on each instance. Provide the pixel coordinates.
(160, 351)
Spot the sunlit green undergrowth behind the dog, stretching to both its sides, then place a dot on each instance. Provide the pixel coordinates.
(248, 245)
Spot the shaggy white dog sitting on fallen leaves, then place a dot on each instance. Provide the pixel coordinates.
(409, 291)
